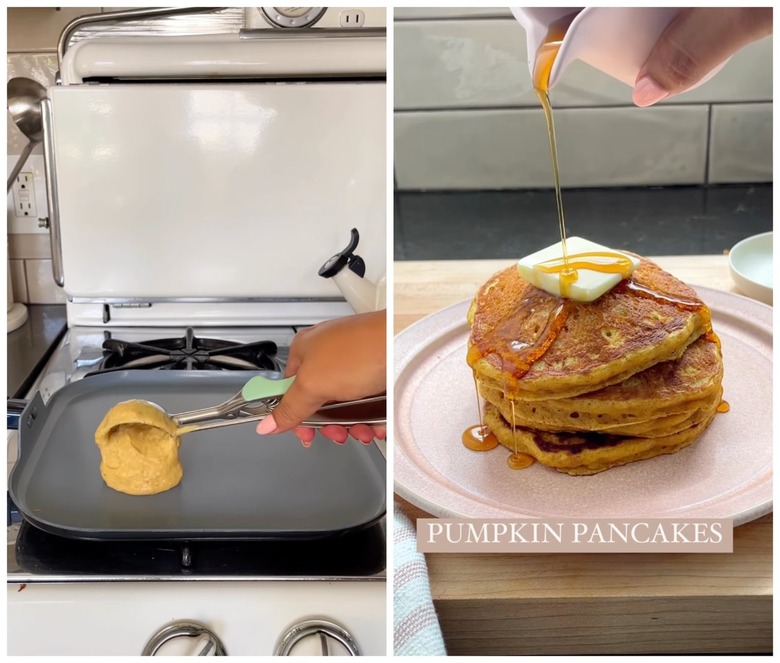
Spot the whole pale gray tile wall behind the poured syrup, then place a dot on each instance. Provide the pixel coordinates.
(453, 72)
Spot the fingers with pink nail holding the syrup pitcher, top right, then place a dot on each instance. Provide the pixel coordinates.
(695, 43)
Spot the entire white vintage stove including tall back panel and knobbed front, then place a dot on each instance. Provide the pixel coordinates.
(196, 184)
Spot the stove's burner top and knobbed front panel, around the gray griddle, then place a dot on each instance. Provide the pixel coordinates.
(305, 592)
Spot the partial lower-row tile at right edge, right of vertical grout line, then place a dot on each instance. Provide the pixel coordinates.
(741, 143)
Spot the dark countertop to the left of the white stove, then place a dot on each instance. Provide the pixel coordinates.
(30, 345)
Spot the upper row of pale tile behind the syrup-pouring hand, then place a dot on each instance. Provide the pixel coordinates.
(468, 63)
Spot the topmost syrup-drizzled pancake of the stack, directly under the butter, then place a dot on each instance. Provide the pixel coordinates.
(591, 345)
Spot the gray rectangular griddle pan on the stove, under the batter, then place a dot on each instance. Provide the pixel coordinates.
(236, 483)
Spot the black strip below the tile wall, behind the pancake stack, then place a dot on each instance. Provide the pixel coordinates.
(464, 225)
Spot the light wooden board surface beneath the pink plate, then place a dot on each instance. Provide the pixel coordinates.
(592, 603)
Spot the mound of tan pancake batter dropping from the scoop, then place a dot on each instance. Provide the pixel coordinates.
(139, 445)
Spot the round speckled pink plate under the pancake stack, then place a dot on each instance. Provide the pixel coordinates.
(727, 473)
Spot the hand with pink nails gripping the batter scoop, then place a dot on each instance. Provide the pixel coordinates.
(337, 360)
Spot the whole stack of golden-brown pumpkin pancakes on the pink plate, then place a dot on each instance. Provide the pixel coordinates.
(583, 387)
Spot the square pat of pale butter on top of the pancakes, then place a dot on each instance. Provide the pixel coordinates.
(590, 284)
